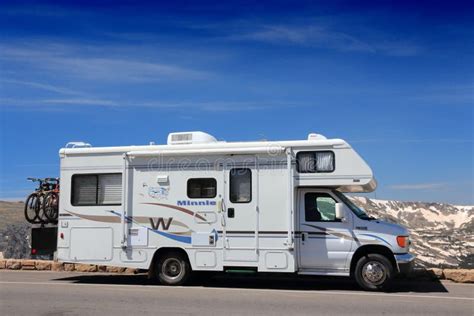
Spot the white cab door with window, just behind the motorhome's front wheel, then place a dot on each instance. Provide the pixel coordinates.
(325, 242)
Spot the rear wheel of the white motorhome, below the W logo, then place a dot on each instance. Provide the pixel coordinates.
(172, 268)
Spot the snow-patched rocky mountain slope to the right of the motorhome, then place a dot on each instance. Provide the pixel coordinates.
(442, 234)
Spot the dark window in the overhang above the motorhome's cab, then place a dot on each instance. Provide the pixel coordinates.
(315, 161)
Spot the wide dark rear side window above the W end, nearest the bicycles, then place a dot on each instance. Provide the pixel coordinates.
(96, 189)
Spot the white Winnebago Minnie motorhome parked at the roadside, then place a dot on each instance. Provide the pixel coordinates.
(198, 204)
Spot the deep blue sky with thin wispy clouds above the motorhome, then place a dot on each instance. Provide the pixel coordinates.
(395, 79)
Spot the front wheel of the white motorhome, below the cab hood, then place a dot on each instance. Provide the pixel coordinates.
(374, 272)
